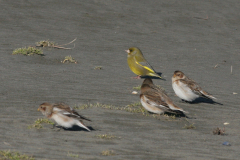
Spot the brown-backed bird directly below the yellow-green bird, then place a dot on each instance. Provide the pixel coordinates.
(155, 100)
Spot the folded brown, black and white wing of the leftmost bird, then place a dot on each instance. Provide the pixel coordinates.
(68, 111)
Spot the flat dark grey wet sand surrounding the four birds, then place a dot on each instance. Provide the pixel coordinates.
(189, 36)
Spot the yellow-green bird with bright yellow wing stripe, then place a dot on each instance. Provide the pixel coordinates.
(138, 64)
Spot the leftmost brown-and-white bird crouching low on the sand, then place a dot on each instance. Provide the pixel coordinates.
(63, 115)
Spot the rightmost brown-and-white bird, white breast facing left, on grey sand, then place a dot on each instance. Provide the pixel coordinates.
(187, 89)
